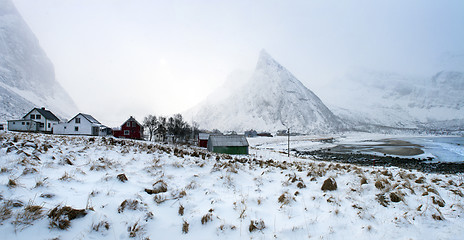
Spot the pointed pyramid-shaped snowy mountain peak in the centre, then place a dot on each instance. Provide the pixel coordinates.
(272, 99)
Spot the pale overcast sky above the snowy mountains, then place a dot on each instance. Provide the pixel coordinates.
(119, 58)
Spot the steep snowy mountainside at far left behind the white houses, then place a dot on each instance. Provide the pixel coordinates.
(27, 77)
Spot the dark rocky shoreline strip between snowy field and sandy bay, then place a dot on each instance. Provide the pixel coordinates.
(423, 165)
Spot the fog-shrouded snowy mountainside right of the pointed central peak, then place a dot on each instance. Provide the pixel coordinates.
(373, 98)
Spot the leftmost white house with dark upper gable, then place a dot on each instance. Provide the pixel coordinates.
(37, 120)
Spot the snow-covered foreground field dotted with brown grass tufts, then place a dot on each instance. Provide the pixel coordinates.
(178, 192)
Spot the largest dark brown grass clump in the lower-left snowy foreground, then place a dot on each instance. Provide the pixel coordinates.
(60, 217)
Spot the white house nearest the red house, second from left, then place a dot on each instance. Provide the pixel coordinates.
(82, 124)
